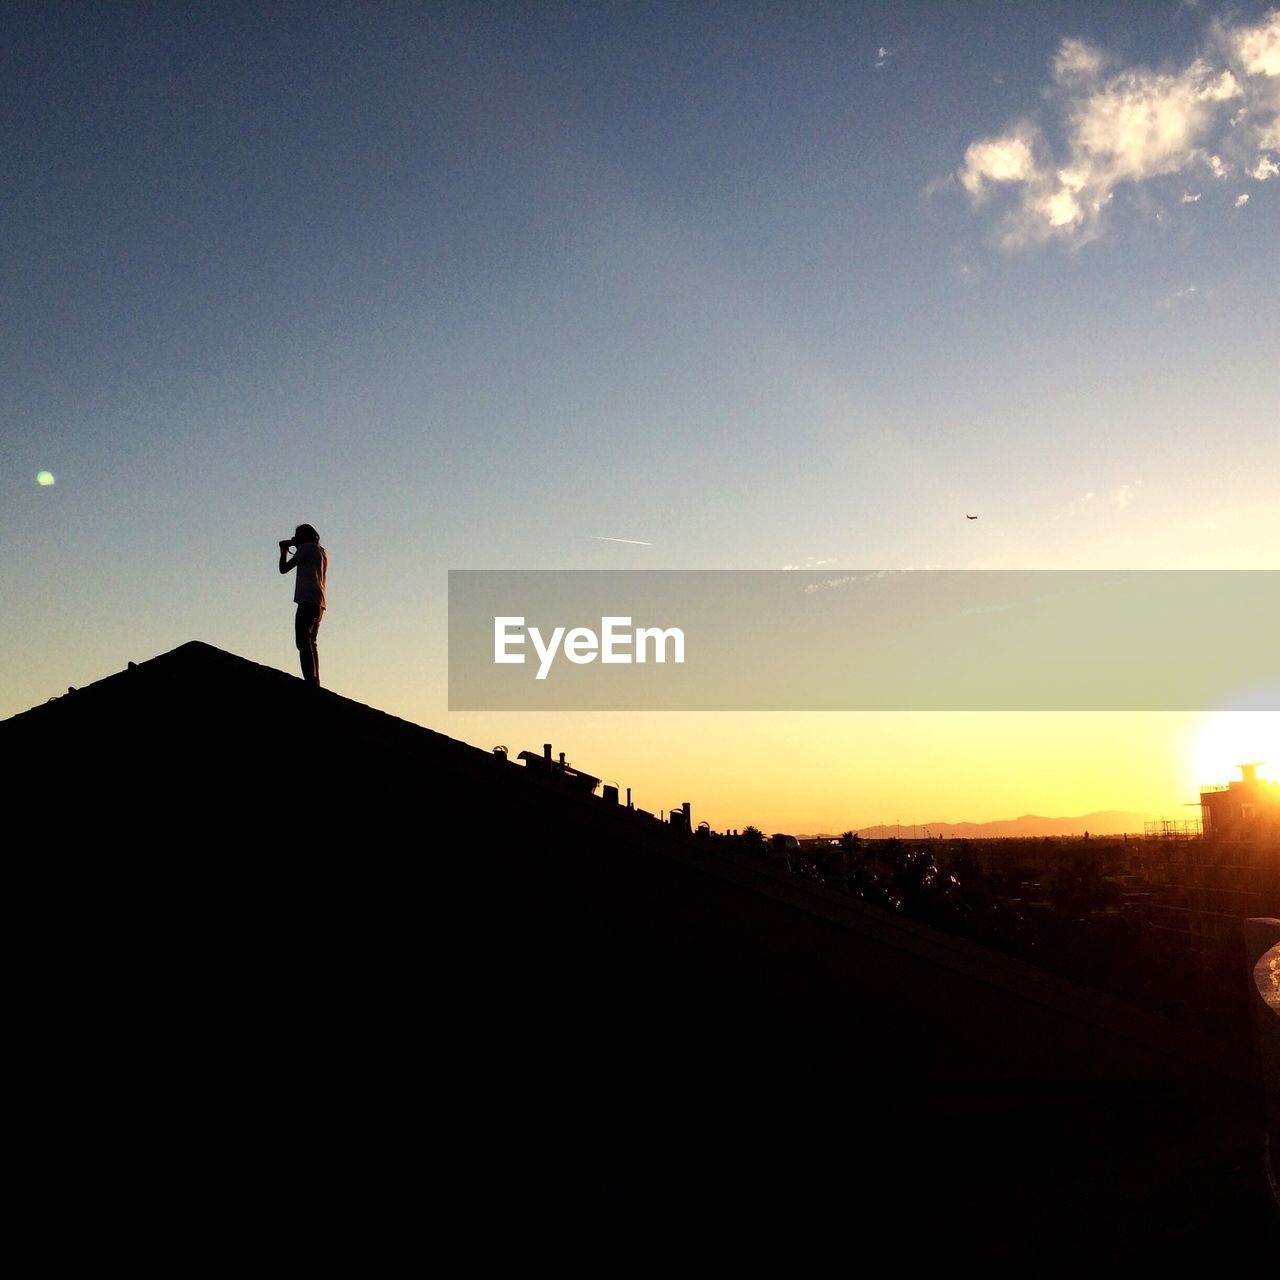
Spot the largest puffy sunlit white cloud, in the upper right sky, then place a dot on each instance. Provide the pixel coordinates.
(1116, 127)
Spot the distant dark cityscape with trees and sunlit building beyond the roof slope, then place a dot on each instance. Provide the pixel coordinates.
(1067, 893)
